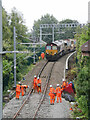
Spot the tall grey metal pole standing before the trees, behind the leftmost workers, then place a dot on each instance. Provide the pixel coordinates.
(14, 56)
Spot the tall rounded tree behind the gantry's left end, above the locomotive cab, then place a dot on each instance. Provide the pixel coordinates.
(46, 19)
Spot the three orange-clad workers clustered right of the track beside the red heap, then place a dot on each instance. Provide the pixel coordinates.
(57, 92)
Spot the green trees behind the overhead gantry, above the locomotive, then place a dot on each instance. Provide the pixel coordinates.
(50, 19)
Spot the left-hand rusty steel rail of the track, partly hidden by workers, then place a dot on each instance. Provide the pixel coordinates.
(30, 92)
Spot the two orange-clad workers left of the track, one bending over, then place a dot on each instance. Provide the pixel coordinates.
(20, 88)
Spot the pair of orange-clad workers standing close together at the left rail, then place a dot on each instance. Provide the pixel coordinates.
(37, 84)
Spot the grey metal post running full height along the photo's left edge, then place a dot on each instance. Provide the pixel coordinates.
(1, 78)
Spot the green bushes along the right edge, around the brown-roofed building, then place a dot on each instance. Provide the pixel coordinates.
(83, 77)
